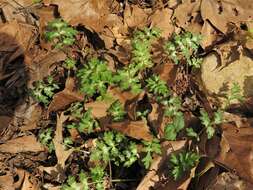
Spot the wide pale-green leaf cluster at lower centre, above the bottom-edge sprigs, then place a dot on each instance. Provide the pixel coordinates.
(115, 147)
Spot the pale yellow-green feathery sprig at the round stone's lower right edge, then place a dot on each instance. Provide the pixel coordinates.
(234, 94)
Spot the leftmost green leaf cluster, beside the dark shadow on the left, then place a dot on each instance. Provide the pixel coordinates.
(44, 91)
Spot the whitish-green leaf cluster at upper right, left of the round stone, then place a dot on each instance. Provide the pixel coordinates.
(184, 47)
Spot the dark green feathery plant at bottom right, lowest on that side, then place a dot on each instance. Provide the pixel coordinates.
(182, 162)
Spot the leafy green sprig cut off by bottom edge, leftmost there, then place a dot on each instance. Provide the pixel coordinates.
(72, 184)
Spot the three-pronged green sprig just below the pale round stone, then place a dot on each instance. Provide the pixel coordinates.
(210, 123)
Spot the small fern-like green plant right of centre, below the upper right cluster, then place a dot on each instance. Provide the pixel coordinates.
(158, 88)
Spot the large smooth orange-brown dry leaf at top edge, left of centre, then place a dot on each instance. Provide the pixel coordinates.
(93, 14)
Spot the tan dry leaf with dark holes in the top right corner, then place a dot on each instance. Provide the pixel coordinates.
(221, 12)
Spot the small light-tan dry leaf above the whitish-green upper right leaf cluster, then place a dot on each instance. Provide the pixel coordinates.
(164, 24)
